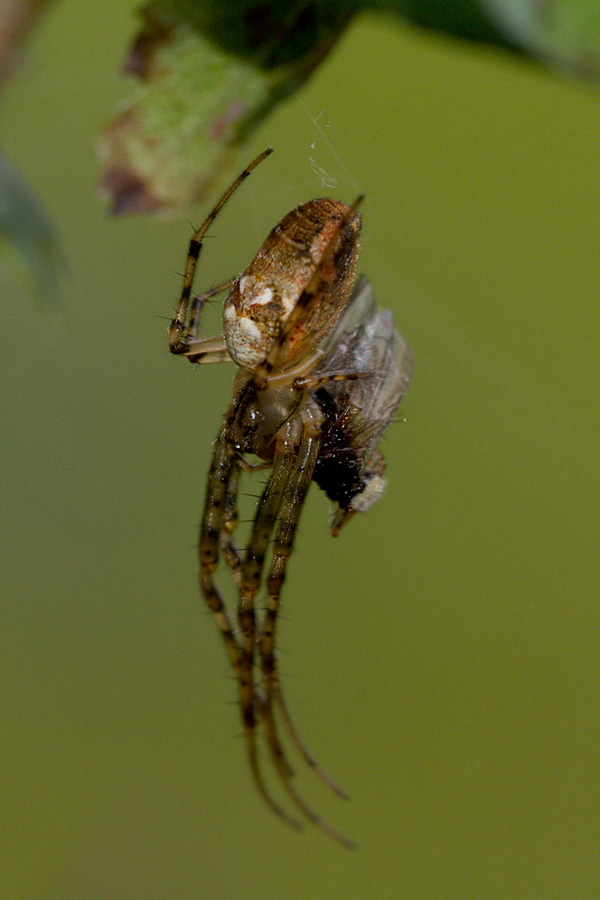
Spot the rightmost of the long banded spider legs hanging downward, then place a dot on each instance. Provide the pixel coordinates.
(293, 500)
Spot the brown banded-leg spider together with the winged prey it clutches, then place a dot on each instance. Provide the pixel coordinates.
(320, 374)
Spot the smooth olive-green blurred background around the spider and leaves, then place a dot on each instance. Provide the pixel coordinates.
(441, 657)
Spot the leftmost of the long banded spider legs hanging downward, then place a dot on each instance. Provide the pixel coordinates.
(223, 468)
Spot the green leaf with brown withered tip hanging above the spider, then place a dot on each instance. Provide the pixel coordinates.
(199, 95)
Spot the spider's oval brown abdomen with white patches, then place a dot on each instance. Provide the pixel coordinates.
(263, 296)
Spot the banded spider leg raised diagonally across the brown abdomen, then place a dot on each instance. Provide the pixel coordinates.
(307, 298)
